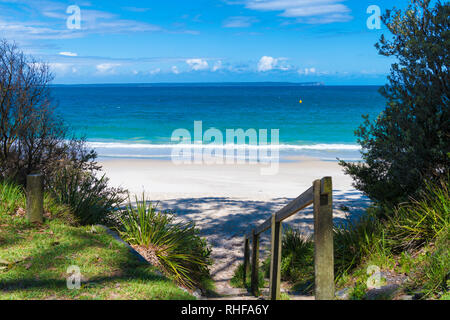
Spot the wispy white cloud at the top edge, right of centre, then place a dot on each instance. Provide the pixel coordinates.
(307, 11)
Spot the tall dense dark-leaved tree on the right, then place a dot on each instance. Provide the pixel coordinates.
(409, 142)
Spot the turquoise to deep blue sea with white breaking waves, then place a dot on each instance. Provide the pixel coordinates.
(139, 120)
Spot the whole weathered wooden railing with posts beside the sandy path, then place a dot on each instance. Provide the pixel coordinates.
(320, 195)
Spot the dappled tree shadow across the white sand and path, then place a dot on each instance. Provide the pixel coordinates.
(224, 221)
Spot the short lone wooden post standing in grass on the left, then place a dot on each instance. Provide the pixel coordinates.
(35, 198)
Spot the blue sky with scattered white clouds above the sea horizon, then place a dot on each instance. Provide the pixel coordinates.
(202, 41)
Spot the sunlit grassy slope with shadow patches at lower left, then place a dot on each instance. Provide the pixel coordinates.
(40, 256)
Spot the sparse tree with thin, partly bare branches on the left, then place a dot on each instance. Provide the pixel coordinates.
(32, 138)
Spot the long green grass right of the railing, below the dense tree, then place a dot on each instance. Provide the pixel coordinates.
(412, 239)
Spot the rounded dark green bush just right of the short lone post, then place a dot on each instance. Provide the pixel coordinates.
(89, 197)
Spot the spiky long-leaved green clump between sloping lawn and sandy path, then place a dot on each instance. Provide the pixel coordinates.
(174, 246)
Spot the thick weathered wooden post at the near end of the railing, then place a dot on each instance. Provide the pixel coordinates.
(323, 239)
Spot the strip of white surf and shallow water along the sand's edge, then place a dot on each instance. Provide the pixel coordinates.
(258, 153)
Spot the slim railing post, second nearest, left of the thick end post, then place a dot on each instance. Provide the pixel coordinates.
(275, 262)
